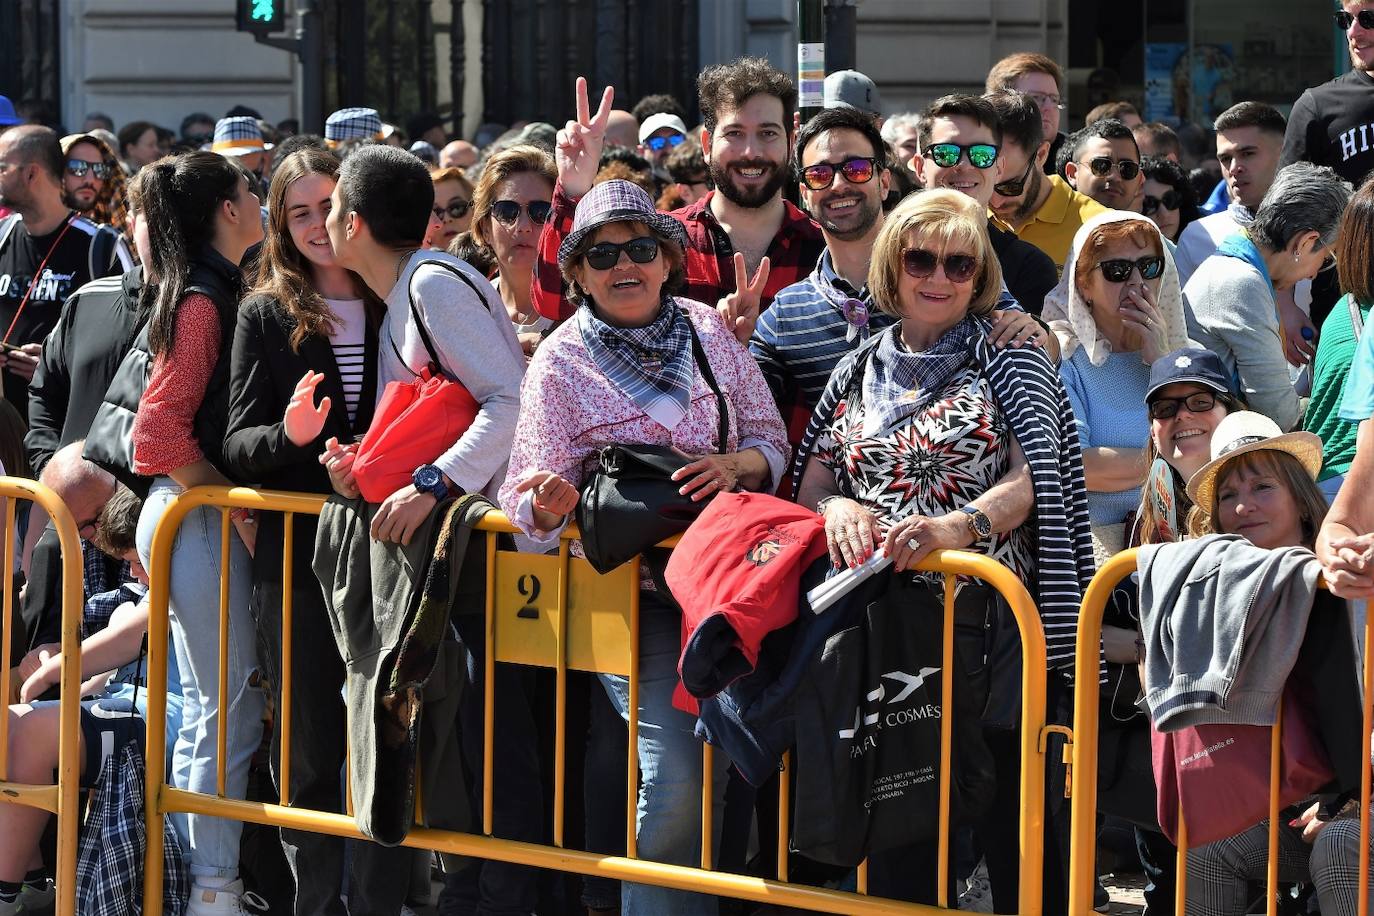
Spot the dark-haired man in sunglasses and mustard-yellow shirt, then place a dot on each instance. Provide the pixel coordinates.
(1041, 209)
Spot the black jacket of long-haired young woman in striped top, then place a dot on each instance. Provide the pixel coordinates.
(264, 371)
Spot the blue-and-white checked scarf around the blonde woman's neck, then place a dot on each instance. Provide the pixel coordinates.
(898, 382)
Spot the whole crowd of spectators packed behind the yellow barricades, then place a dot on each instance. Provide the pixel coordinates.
(864, 337)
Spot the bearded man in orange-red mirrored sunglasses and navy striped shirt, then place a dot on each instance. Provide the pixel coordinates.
(818, 321)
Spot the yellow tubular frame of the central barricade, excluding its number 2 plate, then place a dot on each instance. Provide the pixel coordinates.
(163, 799)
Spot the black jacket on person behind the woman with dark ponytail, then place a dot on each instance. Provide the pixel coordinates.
(97, 329)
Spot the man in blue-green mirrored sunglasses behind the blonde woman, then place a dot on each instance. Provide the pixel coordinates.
(951, 133)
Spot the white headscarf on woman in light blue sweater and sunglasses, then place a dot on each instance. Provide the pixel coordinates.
(1071, 317)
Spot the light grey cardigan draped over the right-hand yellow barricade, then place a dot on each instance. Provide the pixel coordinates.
(1224, 623)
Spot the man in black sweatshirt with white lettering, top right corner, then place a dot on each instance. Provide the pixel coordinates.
(1333, 124)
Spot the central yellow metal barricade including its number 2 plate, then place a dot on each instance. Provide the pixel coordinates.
(556, 612)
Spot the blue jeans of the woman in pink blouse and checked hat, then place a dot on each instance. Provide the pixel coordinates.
(668, 821)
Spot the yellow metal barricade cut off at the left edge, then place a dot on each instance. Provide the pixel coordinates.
(63, 799)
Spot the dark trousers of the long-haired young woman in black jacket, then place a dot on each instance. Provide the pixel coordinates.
(319, 730)
